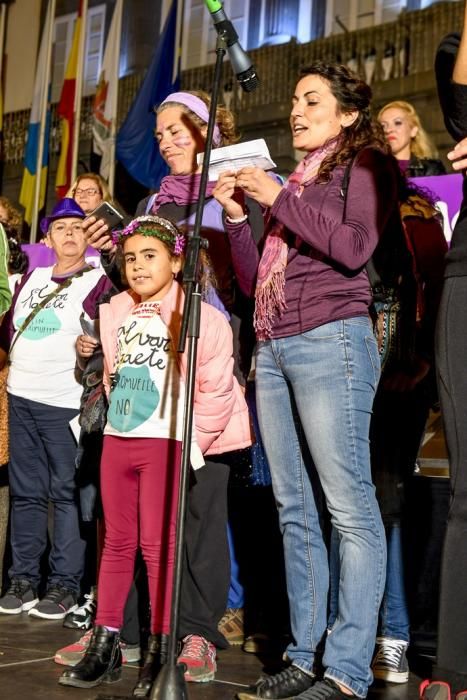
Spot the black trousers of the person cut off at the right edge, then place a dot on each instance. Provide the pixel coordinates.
(451, 354)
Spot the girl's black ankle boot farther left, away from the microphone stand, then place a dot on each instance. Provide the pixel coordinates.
(102, 662)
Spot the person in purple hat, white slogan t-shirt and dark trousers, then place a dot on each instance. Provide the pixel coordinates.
(38, 340)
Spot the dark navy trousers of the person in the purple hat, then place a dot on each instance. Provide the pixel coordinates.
(42, 469)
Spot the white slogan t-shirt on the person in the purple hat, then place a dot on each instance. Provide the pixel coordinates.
(44, 356)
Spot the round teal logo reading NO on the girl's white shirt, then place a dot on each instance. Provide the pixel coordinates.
(133, 399)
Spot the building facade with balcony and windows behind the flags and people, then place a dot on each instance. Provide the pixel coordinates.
(395, 57)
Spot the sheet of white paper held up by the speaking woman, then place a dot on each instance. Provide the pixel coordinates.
(239, 155)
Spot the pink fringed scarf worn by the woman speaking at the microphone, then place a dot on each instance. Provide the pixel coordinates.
(270, 283)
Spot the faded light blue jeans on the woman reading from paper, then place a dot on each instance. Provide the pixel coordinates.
(315, 393)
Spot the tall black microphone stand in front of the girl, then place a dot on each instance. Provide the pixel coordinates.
(170, 683)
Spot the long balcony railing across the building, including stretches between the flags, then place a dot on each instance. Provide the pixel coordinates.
(388, 51)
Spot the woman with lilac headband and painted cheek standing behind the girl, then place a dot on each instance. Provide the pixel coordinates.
(181, 127)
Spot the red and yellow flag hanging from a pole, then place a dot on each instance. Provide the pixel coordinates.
(66, 112)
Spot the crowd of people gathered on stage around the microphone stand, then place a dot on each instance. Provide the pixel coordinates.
(317, 326)
